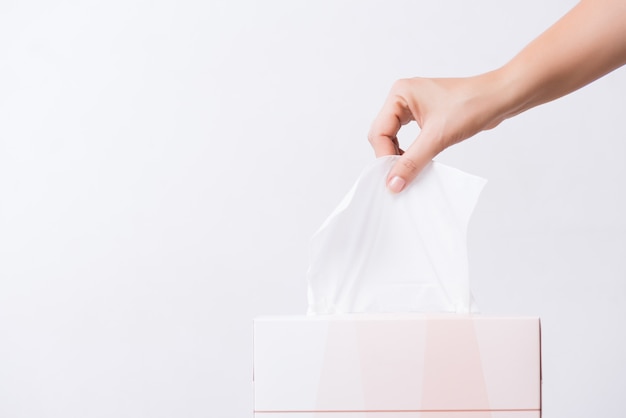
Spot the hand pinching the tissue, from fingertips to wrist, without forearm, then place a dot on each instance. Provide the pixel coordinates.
(447, 111)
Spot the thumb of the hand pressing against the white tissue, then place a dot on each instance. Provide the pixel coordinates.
(409, 165)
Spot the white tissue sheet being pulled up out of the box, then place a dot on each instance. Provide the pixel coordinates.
(406, 252)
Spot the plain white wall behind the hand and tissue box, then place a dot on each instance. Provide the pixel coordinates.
(164, 164)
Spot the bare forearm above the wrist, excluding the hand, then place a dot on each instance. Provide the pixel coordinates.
(584, 45)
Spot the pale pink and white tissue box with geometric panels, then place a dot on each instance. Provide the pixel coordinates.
(397, 366)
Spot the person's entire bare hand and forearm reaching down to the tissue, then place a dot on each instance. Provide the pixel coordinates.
(584, 45)
